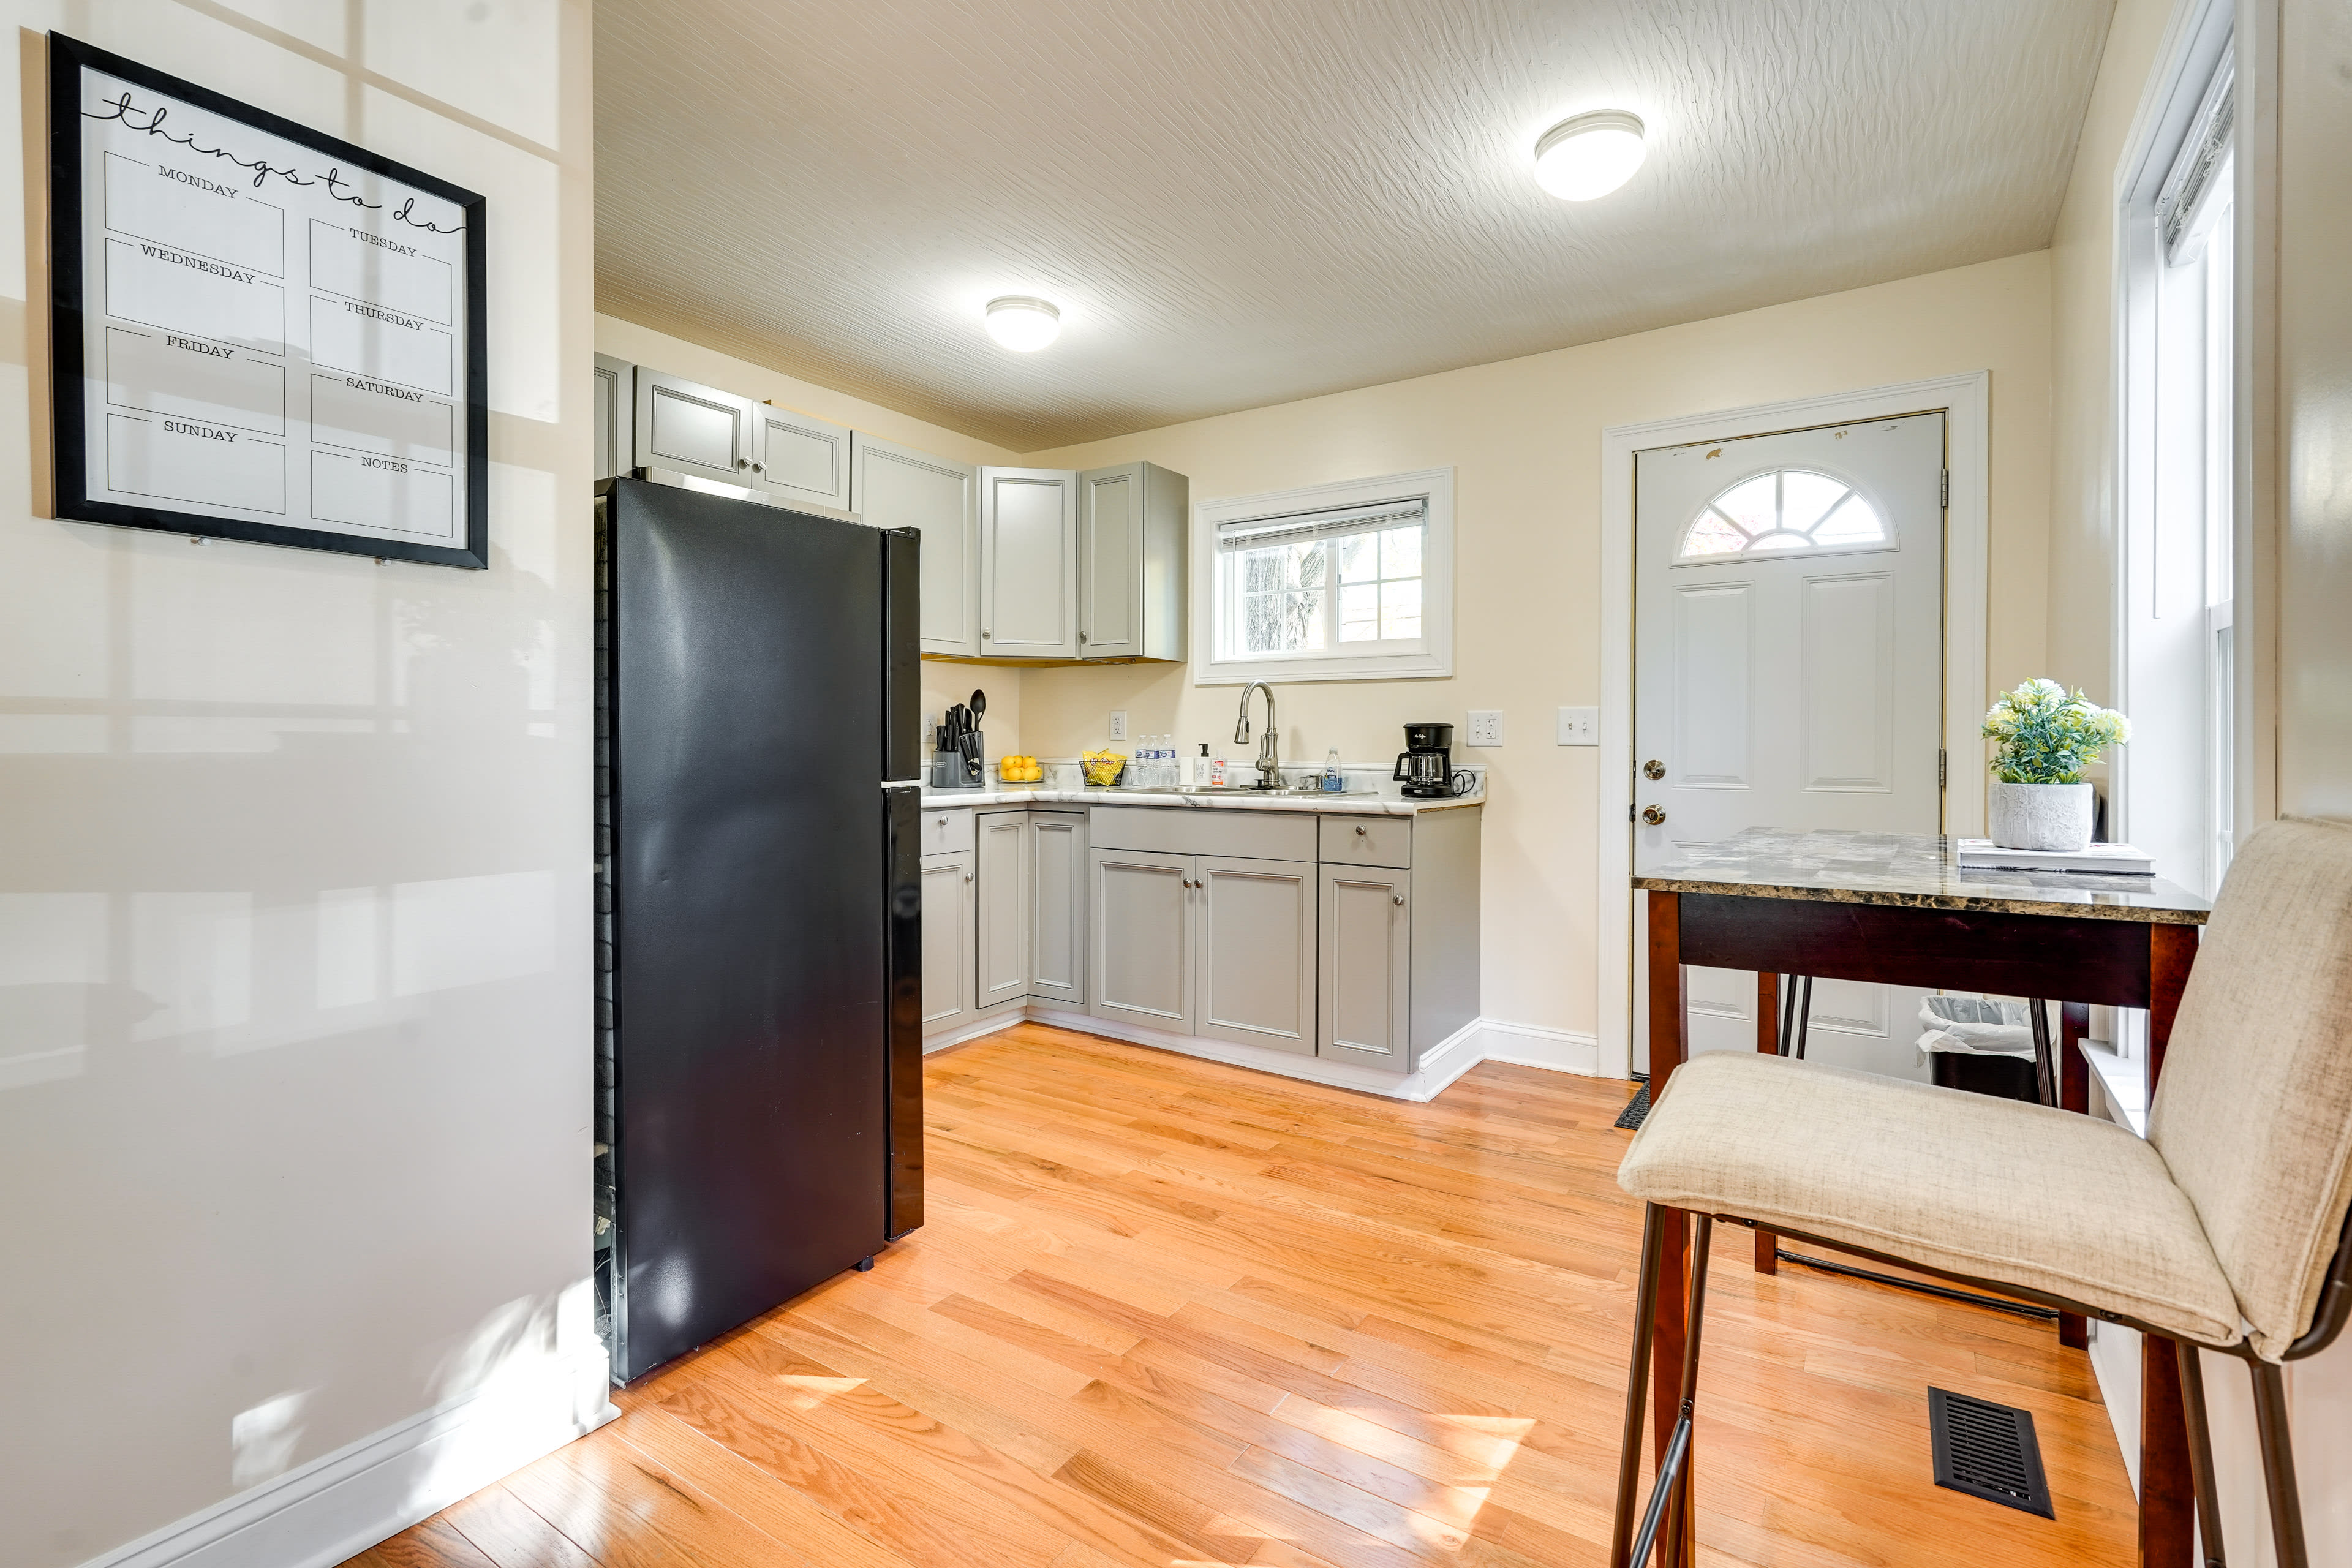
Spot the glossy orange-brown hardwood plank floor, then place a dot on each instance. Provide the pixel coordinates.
(1180, 1315)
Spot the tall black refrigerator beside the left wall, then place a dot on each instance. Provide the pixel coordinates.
(759, 911)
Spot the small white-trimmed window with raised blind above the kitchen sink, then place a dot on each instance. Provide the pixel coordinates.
(1342, 582)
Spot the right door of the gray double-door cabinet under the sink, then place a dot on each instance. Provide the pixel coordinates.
(1257, 953)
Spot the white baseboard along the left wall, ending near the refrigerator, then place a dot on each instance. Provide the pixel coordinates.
(377, 1487)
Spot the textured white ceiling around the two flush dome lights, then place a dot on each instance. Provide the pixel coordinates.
(1255, 201)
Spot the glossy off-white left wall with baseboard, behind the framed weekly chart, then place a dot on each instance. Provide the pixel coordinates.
(295, 887)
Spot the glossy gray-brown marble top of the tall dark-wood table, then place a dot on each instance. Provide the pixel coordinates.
(1902, 869)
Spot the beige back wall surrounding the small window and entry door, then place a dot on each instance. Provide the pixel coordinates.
(1525, 438)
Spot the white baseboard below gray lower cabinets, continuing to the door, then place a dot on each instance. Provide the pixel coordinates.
(1483, 1040)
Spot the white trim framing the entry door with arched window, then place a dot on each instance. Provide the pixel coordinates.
(1967, 408)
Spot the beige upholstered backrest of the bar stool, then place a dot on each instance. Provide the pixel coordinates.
(2254, 1113)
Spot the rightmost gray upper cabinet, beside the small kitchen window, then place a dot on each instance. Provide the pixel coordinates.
(1130, 563)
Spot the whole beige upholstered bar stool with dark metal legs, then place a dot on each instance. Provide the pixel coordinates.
(2224, 1228)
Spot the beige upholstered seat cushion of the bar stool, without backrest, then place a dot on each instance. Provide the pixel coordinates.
(1989, 1188)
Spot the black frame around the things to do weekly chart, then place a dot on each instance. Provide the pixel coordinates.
(69, 60)
